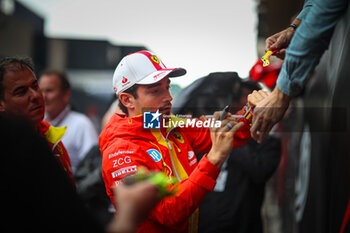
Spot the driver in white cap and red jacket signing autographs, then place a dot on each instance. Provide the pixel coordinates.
(141, 82)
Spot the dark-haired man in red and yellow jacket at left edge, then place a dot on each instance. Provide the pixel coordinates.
(21, 97)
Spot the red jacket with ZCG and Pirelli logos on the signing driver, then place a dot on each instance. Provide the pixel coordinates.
(125, 146)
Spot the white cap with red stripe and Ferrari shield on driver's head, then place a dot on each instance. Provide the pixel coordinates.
(142, 67)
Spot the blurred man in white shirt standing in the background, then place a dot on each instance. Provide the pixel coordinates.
(81, 134)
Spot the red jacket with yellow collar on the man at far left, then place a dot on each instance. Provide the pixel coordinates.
(53, 137)
